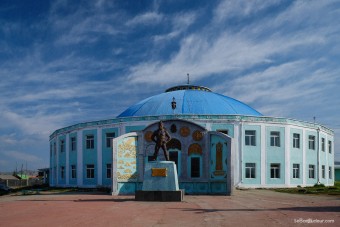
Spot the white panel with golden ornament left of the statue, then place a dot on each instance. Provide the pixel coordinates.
(127, 159)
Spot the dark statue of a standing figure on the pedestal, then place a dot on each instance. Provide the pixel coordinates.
(161, 137)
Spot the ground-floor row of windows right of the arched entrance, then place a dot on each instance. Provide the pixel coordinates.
(250, 171)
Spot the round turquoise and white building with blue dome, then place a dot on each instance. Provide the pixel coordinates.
(218, 143)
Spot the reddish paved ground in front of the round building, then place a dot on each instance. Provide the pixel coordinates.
(245, 208)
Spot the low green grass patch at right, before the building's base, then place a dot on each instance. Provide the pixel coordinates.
(316, 189)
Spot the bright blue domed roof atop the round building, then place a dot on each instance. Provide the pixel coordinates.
(190, 99)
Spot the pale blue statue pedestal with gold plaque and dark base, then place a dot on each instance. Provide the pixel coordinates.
(160, 183)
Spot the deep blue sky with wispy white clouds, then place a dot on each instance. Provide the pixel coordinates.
(65, 62)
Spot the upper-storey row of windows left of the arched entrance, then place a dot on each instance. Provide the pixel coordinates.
(89, 142)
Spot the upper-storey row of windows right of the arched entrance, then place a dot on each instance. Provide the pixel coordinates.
(250, 140)
